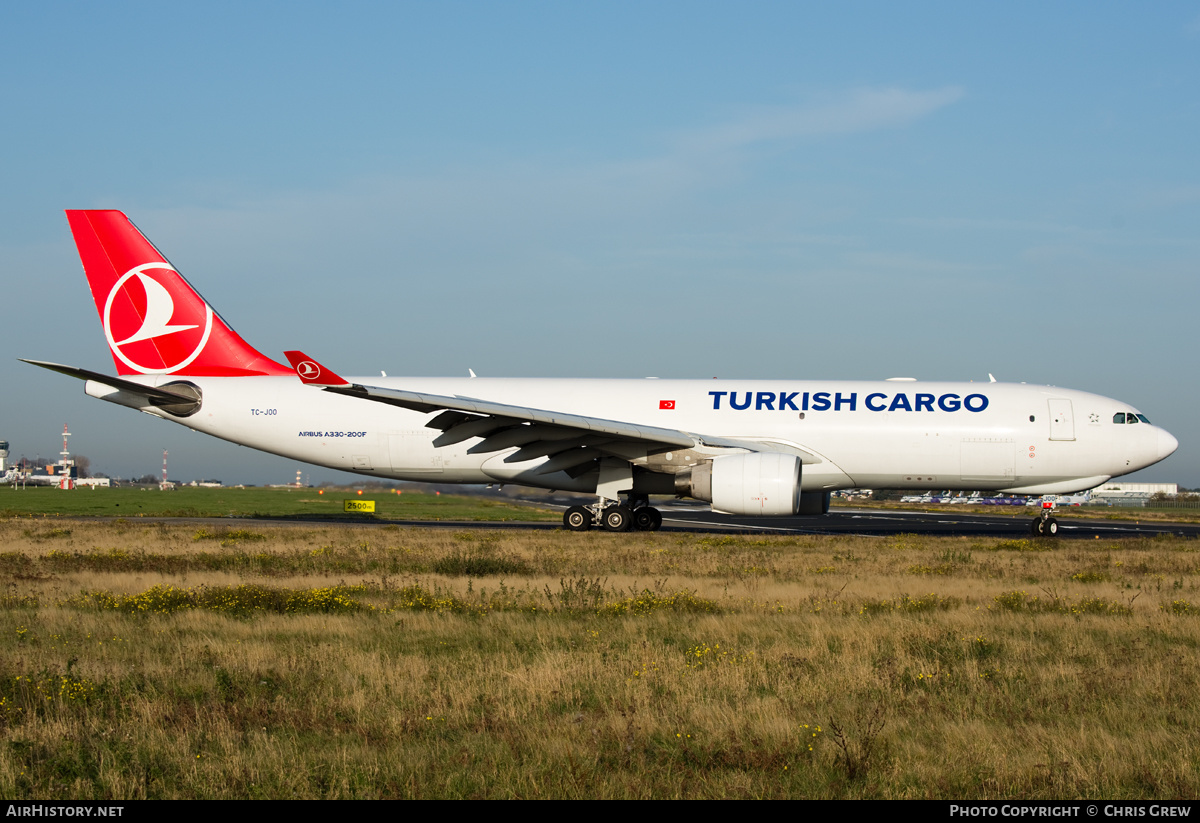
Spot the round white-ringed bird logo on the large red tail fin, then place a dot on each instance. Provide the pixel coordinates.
(145, 327)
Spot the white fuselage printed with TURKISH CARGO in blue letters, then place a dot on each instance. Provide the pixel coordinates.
(883, 435)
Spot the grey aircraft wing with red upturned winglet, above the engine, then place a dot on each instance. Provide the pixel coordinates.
(569, 441)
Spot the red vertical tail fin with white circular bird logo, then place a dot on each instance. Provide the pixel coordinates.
(154, 321)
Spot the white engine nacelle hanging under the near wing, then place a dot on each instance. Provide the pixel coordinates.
(757, 484)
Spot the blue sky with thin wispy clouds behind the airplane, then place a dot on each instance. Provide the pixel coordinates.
(614, 190)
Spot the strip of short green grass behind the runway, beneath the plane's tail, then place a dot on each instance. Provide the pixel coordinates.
(195, 502)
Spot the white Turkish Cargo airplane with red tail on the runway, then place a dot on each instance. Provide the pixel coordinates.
(765, 448)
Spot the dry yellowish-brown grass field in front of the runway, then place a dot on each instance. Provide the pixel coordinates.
(176, 662)
